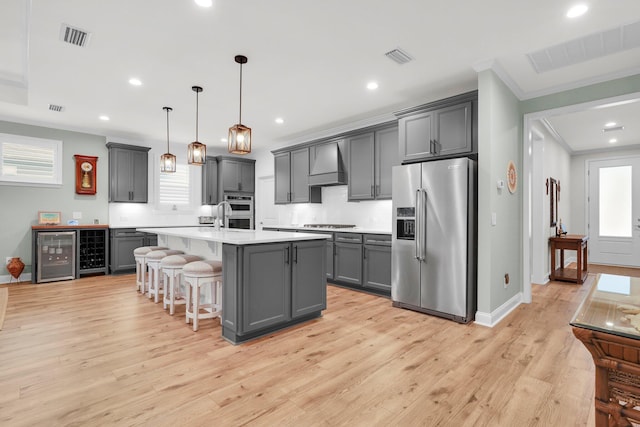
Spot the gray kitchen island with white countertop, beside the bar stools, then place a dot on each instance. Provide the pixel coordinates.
(271, 280)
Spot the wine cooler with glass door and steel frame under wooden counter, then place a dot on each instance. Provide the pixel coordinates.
(56, 256)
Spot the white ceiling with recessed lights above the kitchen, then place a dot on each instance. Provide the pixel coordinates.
(309, 61)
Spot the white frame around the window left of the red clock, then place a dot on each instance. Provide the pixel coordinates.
(30, 142)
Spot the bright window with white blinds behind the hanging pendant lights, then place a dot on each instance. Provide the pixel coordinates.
(174, 189)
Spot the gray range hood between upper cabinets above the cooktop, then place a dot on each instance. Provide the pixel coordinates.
(326, 165)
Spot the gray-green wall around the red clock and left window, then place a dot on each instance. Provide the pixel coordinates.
(20, 204)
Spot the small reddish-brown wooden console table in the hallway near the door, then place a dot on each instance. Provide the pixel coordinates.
(573, 242)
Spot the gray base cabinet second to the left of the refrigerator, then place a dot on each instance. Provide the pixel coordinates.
(348, 258)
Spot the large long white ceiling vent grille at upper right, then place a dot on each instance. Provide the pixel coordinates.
(586, 48)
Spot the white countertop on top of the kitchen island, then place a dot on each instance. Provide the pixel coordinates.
(233, 237)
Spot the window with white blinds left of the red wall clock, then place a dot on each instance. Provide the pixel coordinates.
(30, 161)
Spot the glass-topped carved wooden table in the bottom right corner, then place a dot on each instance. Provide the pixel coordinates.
(614, 343)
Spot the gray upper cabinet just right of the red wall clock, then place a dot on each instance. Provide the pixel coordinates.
(128, 173)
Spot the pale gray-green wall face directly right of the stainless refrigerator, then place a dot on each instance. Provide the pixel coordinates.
(499, 141)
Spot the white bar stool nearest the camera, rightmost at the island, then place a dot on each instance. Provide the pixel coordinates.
(197, 274)
